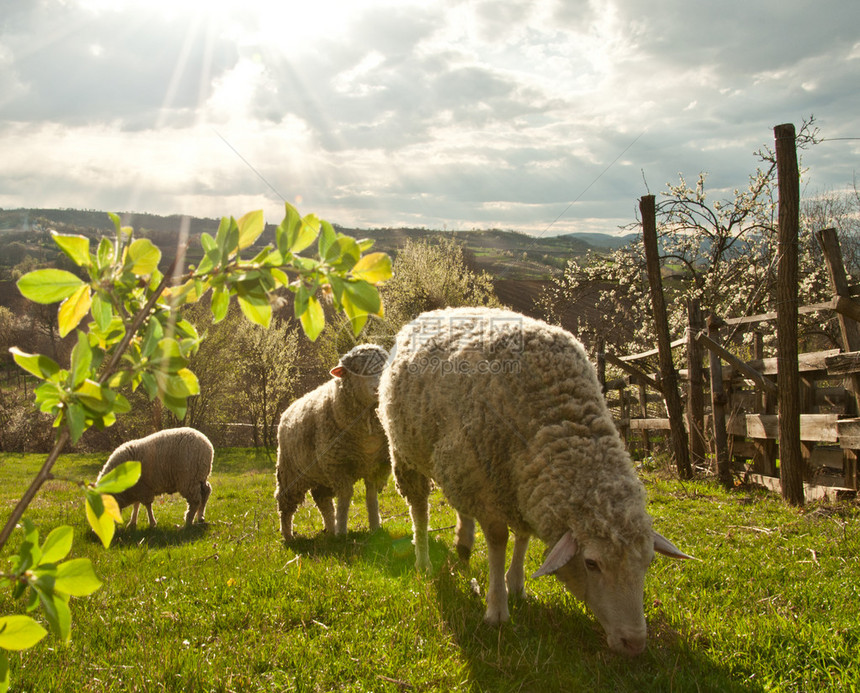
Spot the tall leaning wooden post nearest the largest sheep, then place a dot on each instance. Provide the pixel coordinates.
(668, 377)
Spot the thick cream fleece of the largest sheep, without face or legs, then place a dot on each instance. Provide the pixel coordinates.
(506, 415)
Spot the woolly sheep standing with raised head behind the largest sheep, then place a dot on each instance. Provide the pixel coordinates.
(330, 438)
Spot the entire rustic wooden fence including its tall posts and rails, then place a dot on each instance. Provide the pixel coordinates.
(796, 415)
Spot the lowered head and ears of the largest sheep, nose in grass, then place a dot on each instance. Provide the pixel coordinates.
(610, 581)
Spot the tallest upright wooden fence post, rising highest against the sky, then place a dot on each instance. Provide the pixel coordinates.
(788, 377)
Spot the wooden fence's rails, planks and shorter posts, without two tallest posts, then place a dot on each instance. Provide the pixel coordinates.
(743, 396)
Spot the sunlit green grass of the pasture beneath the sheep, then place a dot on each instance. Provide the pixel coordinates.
(772, 604)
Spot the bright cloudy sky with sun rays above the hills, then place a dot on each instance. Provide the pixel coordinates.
(545, 116)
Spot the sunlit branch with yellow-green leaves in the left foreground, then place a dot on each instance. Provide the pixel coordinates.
(135, 337)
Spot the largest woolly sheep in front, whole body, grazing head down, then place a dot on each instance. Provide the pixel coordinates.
(506, 415)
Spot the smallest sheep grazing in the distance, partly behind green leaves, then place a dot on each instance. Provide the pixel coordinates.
(175, 460)
